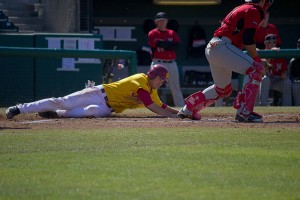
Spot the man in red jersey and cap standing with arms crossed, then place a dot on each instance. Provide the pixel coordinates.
(163, 43)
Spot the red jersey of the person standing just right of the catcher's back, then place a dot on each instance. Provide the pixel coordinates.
(261, 33)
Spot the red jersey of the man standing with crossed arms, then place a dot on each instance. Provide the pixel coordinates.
(156, 35)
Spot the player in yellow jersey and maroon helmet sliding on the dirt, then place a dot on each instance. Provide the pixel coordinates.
(139, 90)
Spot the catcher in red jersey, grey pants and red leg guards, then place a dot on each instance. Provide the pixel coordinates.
(225, 54)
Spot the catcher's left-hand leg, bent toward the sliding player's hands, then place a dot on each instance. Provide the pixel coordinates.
(221, 70)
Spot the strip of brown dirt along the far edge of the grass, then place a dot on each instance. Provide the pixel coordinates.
(146, 120)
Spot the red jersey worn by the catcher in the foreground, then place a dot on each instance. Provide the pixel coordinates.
(248, 15)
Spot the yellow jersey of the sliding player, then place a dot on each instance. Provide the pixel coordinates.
(123, 95)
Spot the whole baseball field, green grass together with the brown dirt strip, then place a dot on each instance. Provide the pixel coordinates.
(137, 155)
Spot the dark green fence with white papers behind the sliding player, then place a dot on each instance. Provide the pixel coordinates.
(45, 65)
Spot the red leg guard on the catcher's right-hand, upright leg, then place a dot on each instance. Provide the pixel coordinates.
(245, 99)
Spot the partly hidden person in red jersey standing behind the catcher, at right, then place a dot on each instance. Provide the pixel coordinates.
(265, 29)
